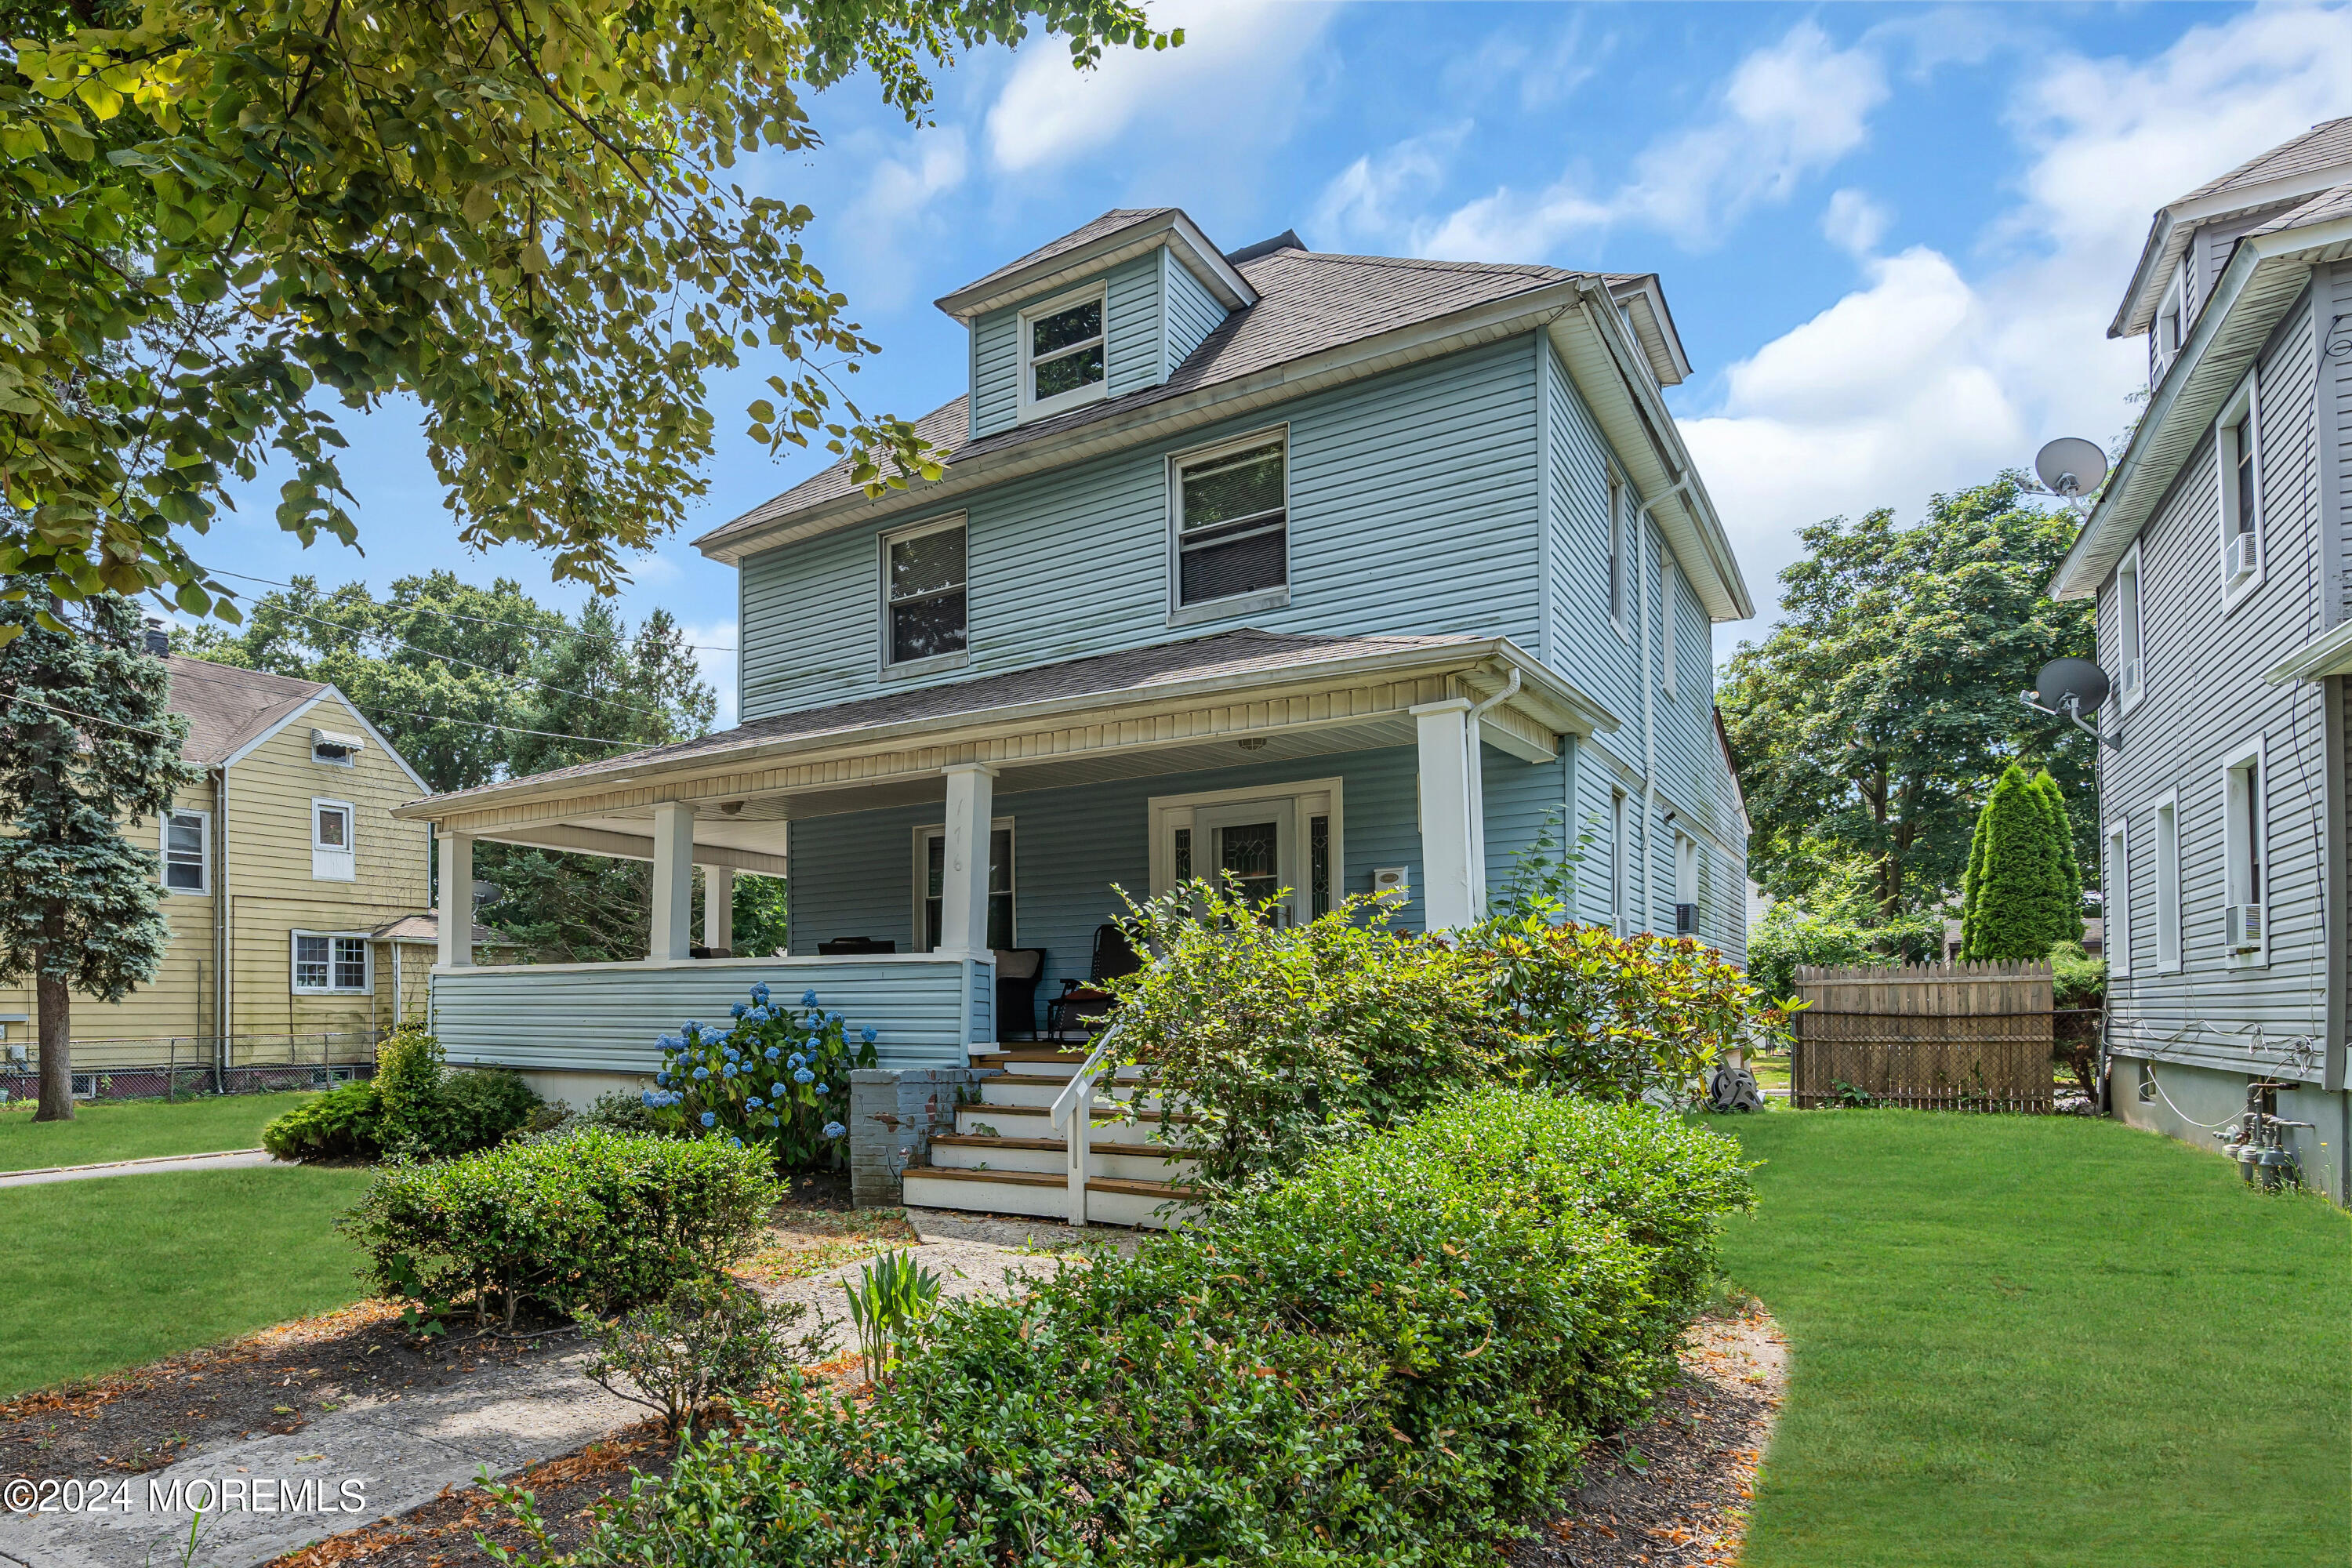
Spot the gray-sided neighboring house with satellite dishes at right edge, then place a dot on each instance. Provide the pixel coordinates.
(2219, 558)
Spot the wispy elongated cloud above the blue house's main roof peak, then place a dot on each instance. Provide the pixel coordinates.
(1786, 112)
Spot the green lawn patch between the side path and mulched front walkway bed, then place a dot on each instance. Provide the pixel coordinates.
(112, 1273)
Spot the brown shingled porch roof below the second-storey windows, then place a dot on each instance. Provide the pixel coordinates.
(1130, 671)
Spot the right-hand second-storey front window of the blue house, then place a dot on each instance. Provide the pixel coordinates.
(1229, 511)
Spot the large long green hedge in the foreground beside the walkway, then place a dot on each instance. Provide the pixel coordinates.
(1391, 1360)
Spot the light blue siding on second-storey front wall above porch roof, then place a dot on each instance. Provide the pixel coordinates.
(1412, 511)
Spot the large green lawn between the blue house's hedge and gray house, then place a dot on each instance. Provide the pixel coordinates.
(2043, 1341)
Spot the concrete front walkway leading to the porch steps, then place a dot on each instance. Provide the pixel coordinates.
(385, 1456)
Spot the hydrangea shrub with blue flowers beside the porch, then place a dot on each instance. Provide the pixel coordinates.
(773, 1076)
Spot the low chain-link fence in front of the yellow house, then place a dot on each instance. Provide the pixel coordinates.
(187, 1066)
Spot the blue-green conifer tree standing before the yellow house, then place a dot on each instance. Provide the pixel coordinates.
(86, 749)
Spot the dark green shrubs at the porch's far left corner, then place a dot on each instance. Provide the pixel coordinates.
(413, 1108)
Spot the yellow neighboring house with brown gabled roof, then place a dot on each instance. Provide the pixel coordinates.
(286, 876)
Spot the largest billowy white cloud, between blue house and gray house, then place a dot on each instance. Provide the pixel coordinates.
(1925, 380)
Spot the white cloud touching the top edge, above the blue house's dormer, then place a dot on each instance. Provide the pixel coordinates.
(1238, 67)
